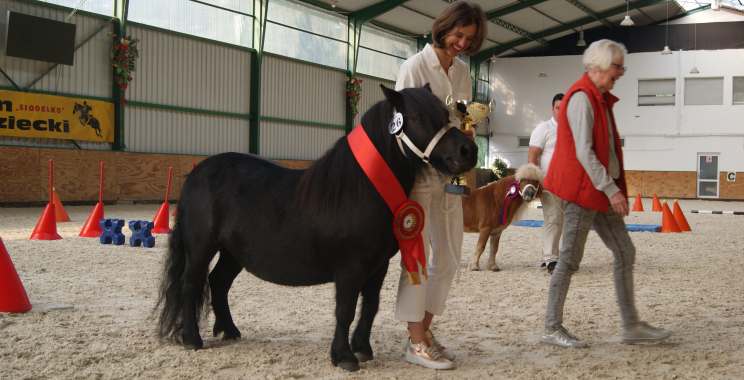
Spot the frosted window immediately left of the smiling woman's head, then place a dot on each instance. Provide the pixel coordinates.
(381, 52)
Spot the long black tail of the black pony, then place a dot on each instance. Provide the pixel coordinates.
(171, 300)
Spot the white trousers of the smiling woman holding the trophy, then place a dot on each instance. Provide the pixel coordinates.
(443, 224)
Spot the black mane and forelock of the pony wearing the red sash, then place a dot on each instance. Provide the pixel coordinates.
(337, 175)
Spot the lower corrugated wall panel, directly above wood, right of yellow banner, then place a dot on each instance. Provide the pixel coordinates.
(162, 131)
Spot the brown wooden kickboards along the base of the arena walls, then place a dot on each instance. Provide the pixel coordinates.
(24, 176)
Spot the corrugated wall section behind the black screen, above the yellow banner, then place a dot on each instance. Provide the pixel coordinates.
(89, 76)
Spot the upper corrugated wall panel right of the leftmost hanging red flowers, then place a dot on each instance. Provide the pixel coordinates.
(183, 72)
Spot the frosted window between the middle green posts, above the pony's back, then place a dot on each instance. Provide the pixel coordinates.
(300, 31)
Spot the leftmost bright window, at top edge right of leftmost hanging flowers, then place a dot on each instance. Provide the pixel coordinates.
(229, 24)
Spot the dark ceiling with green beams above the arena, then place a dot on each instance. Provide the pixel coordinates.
(519, 25)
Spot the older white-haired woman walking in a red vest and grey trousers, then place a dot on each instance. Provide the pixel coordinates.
(587, 175)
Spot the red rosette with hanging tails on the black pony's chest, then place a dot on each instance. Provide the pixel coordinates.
(407, 225)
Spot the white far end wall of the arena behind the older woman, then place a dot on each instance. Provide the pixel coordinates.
(657, 138)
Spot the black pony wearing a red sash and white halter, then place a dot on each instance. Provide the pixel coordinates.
(300, 227)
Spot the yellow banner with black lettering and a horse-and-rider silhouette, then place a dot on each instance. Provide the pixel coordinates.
(23, 114)
